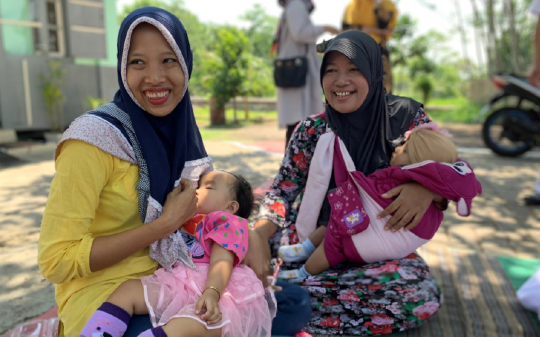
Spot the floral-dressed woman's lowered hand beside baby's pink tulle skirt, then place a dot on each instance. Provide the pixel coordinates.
(258, 255)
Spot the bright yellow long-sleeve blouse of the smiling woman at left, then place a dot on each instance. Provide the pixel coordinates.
(92, 194)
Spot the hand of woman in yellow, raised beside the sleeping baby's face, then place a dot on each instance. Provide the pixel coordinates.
(180, 206)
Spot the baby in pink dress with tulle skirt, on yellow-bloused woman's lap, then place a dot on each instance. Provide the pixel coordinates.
(221, 297)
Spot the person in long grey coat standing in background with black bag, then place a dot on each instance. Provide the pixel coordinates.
(297, 36)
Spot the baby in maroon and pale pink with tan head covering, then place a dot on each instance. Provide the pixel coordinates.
(354, 232)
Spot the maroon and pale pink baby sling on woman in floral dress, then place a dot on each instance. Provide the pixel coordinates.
(354, 233)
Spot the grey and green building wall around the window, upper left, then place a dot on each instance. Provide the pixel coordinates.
(21, 69)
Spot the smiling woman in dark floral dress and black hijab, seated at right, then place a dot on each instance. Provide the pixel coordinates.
(377, 298)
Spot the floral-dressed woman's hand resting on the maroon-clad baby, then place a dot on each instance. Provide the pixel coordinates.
(409, 207)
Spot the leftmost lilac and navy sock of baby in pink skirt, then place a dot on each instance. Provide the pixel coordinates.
(108, 319)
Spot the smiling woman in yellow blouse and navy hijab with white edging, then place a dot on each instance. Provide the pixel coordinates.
(117, 187)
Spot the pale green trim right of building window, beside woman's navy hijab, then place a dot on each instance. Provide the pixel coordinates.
(111, 31)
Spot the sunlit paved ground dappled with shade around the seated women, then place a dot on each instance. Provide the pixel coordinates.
(500, 223)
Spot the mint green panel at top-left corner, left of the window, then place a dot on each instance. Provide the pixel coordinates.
(17, 40)
